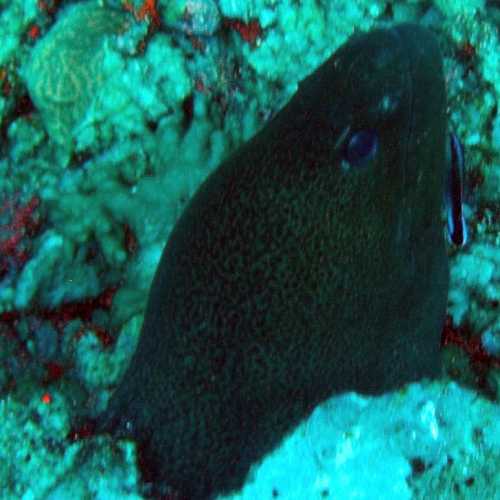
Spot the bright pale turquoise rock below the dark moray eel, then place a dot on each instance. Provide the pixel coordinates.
(395, 446)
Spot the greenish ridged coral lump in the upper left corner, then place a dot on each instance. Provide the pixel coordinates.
(65, 69)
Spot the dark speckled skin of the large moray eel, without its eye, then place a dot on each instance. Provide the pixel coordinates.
(292, 275)
